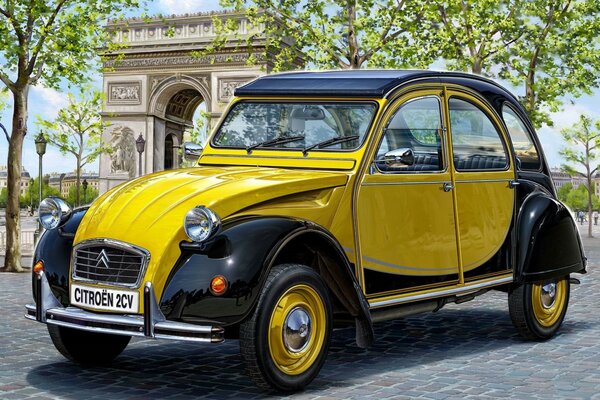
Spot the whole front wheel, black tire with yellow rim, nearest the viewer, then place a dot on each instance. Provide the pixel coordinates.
(293, 294)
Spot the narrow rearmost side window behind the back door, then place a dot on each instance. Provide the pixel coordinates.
(524, 148)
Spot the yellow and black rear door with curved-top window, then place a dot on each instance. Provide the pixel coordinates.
(483, 177)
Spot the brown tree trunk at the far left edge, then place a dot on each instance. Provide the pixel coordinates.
(12, 260)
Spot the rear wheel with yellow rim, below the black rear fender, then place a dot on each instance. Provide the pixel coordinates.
(538, 309)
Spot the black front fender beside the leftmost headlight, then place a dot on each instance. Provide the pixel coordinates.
(54, 249)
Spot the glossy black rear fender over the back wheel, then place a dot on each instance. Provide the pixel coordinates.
(548, 242)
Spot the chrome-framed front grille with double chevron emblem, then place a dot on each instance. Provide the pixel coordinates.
(110, 262)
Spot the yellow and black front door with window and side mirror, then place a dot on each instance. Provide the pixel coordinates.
(405, 206)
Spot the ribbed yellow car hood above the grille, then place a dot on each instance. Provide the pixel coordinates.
(149, 211)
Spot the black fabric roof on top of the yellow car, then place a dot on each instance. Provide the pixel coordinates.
(348, 83)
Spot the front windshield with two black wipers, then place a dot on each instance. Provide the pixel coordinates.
(300, 125)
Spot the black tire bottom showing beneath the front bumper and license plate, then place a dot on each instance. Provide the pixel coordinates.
(87, 348)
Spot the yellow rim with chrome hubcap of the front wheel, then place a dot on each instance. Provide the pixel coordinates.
(297, 329)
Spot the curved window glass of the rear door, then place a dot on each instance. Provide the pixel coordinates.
(476, 143)
